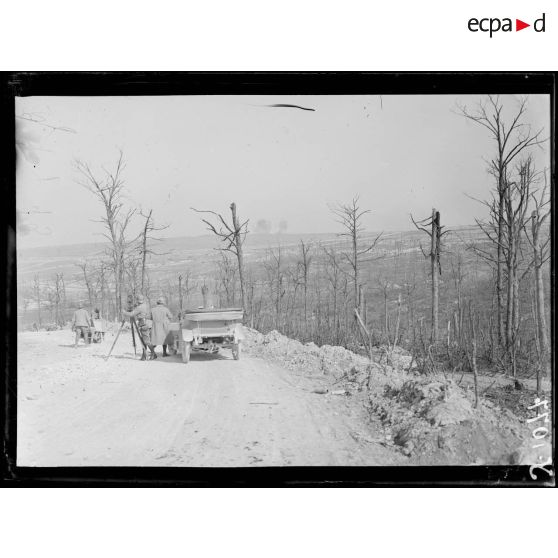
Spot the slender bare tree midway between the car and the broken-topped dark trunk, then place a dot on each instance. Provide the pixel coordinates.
(350, 216)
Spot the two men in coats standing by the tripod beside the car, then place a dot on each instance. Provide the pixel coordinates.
(153, 325)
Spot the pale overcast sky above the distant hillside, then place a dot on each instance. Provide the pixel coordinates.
(402, 154)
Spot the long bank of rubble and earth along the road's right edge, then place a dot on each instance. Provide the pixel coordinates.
(430, 419)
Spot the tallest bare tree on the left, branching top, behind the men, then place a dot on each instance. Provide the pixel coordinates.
(108, 191)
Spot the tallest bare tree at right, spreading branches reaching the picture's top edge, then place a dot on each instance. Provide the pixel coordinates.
(510, 142)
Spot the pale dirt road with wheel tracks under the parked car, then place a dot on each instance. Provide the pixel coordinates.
(75, 408)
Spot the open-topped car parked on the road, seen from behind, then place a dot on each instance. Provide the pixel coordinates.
(208, 330)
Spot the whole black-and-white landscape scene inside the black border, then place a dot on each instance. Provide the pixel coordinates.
(284, 280)
